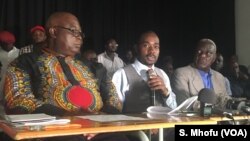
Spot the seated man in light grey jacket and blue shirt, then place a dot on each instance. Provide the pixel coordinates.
(189, 80)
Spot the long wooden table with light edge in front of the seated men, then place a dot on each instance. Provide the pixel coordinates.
(82, 126)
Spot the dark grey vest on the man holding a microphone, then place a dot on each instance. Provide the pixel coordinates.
(138, 97)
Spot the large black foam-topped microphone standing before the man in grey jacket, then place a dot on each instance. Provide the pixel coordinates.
(207, 99)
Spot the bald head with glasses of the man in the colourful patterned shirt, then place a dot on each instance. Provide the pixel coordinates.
(64, 33)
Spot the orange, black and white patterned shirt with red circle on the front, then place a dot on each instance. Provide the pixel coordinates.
(33, 80)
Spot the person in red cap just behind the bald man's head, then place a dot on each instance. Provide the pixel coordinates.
(38, 39)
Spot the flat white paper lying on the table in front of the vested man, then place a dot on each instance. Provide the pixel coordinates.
(109, 118)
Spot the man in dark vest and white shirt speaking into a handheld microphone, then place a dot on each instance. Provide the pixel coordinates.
(135, 86)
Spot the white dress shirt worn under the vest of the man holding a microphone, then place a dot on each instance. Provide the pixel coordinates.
(121, 83)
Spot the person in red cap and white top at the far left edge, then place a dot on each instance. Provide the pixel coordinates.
(8, 52)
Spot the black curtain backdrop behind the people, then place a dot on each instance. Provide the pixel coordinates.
(179, 23)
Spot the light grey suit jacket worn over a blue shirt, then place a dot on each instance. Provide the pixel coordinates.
(187, 82)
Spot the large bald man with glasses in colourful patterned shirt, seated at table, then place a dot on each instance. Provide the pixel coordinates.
(55, 82)
